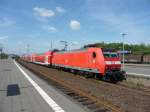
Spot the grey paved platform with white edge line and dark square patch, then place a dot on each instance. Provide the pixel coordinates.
(22, 91)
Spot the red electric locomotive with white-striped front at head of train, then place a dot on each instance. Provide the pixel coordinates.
(91, 61)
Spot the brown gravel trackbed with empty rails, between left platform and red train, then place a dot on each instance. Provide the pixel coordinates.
(98, 96)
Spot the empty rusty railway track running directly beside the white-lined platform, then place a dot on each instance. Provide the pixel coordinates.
(92, 103)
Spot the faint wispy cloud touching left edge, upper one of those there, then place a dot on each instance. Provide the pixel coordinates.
(5, 22)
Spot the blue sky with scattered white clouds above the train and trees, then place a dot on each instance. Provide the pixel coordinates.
(38, 22)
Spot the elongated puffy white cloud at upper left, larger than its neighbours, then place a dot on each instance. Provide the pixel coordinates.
(43, 12)
